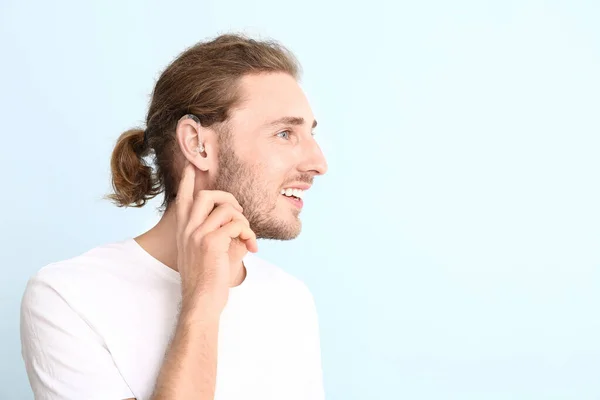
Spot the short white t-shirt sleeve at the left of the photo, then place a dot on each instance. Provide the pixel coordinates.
(64, 357)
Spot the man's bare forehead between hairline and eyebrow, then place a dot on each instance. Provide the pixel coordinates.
(269, 96)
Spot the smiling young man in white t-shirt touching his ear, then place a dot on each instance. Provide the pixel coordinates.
(229, 141)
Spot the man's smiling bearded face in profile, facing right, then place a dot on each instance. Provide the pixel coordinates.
(270, 149)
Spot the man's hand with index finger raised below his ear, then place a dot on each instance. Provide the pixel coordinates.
(208, 222)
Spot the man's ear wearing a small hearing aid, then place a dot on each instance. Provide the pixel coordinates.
(190, 134)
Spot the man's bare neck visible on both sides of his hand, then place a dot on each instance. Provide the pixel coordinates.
(161, 243)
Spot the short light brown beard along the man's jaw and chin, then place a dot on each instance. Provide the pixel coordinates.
(257, 197)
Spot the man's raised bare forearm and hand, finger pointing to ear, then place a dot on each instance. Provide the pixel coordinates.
(207, 223)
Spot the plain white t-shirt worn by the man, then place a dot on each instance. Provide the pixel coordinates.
(97, 326)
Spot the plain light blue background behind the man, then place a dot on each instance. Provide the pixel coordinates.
(453, 248)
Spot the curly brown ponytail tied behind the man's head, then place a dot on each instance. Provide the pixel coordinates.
(133, 180)
